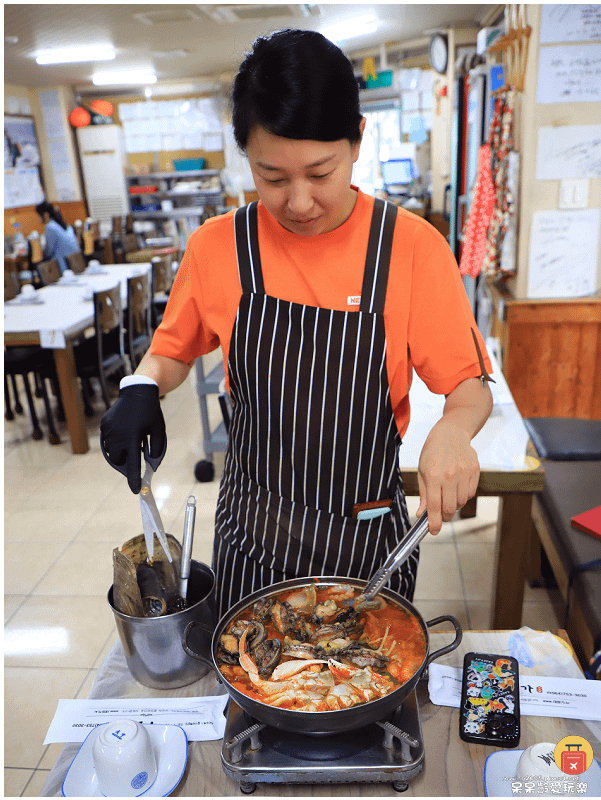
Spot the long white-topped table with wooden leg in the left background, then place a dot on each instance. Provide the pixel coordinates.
(66, 312)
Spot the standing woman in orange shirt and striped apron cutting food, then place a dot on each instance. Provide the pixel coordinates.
(323, 301)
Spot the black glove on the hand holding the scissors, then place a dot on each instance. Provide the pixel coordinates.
(135, 415)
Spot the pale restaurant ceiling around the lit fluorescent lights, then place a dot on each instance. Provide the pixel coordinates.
(213, 37)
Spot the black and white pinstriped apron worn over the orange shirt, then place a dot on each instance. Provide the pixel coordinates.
(312, 433)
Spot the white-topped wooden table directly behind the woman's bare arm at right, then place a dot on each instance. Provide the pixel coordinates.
(506, 471)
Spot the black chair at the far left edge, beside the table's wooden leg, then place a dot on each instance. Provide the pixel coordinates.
(26, 361)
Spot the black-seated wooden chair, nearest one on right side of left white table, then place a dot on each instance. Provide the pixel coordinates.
(102, 355)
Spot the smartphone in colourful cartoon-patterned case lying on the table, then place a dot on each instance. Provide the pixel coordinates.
(490, 700)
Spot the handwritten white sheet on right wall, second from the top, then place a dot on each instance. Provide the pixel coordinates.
(569, 74)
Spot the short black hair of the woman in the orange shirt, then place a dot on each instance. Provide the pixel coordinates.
(298, 85)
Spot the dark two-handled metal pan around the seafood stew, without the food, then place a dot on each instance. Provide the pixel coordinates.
(319, 723)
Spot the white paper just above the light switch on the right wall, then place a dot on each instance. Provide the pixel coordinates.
(569, 151)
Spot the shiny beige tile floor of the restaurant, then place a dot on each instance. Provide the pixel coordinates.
(63, 516)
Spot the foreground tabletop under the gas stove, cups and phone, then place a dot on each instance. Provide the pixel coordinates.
(453, 768)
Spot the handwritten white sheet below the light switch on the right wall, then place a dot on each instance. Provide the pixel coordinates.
(563, 253)
